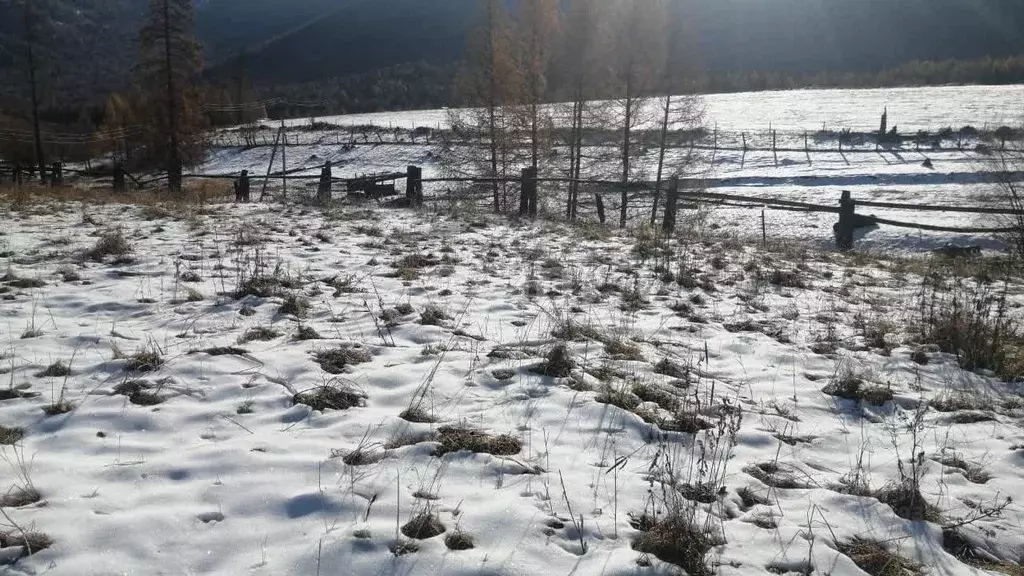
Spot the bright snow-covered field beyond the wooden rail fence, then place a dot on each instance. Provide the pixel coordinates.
(895, 175)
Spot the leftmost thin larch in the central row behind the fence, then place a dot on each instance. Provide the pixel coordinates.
(490, 84)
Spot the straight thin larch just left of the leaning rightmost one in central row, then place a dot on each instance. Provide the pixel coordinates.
(637, 65)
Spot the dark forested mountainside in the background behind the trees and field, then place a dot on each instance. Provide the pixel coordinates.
(309, 43)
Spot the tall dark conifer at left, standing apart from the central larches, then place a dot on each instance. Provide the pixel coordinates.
(169, 67)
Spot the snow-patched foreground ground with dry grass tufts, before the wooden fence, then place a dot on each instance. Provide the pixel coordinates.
(168, 439)
